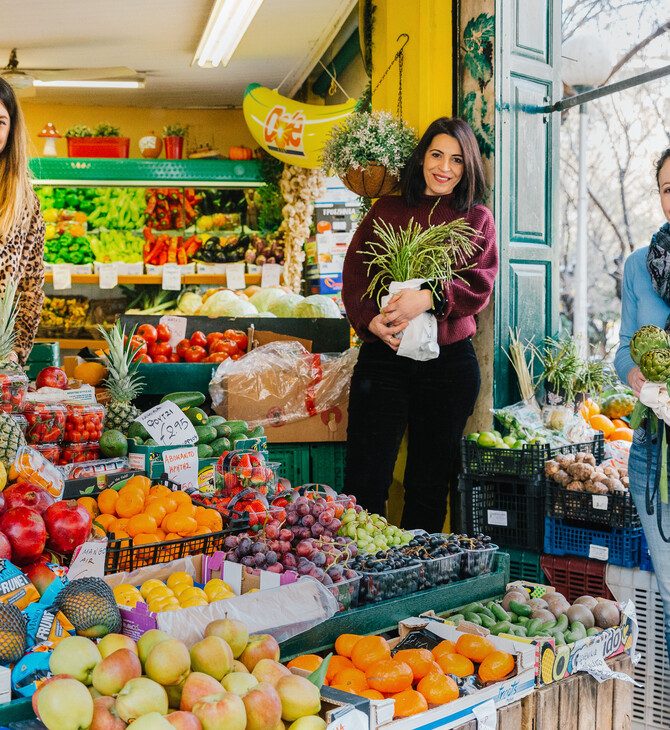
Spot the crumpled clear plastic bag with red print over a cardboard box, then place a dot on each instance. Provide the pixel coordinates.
(280, 383)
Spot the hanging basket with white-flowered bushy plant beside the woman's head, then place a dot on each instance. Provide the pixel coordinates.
(368, 151)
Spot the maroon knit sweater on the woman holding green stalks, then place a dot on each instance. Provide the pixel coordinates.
(464, 298)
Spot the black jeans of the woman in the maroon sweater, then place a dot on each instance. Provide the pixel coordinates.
(433, 399)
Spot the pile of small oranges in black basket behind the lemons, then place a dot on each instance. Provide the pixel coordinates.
(141, 514)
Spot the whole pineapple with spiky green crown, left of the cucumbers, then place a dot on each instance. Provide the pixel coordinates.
(122, 383)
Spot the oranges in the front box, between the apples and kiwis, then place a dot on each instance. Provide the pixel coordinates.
(417, 679)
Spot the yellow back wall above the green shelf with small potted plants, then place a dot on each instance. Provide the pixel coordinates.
(220, 128)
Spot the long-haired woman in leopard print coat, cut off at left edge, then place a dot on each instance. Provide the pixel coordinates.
(21, 223)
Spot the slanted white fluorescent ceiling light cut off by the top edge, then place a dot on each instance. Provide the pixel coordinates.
(227, 23)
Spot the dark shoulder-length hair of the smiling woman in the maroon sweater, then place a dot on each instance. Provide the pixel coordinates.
(472, 186)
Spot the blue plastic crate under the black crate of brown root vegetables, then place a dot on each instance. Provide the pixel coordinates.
(618, 546)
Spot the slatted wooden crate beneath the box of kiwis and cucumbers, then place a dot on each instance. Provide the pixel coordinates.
(578, 702)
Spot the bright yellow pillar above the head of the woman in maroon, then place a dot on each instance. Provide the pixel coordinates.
(427, 81)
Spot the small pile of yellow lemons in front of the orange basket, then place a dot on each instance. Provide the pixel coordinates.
(175, 593)
